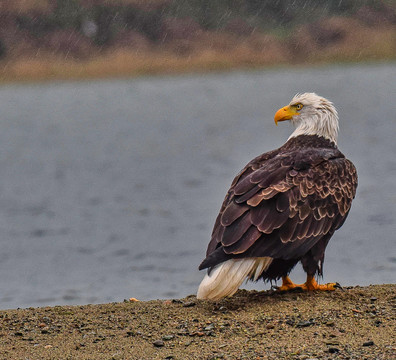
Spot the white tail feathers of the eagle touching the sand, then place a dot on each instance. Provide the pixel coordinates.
(226, 278)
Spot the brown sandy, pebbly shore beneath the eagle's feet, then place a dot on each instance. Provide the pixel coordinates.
(357, 323)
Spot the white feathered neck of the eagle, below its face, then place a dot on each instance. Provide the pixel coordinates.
(322, 123)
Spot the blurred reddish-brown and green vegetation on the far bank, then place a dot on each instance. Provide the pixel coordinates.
(85, 29)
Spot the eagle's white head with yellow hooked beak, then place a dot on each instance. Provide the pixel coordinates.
(311, 115)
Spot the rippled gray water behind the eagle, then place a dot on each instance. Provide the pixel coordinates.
(109, 189)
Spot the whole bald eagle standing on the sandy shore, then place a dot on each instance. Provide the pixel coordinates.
(283, 207)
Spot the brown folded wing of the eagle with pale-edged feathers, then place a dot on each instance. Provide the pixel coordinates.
(282, 204)
